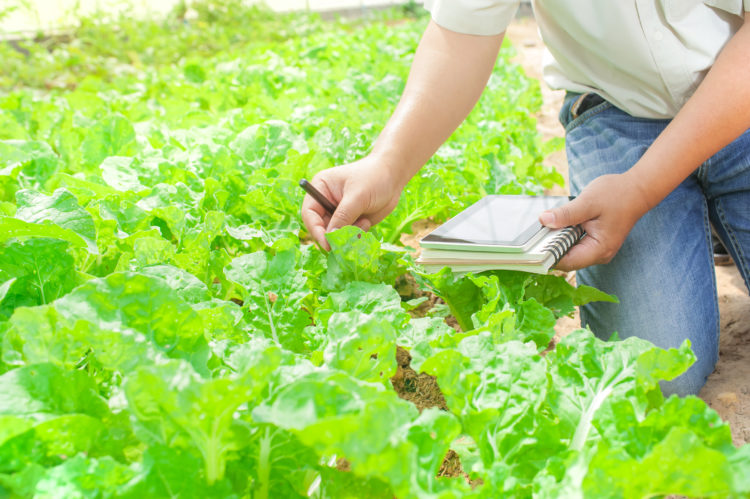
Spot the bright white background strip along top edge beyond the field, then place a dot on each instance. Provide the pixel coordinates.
(30, 16)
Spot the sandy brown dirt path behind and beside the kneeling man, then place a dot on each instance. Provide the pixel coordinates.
(728, 388)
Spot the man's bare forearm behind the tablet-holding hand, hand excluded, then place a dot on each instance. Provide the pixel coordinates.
(716, 114)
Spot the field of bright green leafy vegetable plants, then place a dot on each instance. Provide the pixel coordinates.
(167, 330)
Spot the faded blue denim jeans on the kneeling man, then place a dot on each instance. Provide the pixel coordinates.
(664, 272)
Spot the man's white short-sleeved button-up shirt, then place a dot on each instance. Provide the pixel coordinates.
(644, 56)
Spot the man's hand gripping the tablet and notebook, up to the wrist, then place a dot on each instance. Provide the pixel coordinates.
(608, 208)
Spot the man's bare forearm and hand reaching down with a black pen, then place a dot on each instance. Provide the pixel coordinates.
(449, 72)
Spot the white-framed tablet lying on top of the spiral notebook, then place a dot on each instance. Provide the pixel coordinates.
(503, 223)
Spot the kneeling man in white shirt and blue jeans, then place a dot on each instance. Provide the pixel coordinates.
(656, 118)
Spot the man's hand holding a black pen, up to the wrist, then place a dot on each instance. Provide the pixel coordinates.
(365, 192)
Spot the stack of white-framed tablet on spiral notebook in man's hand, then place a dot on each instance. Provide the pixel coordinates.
(500, 232)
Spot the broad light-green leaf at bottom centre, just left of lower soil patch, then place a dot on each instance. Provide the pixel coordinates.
(336, 414)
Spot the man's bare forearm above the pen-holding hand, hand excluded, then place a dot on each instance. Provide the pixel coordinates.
(449, 73)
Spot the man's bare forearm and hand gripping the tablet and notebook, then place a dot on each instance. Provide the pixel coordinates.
(716, 114)
